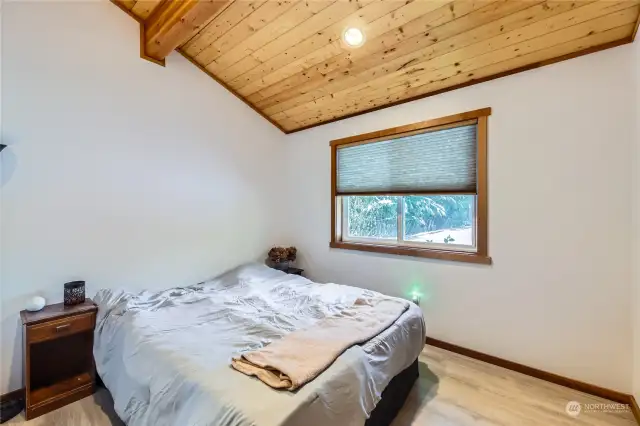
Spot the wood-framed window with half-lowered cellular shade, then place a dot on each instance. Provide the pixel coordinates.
(418, 190)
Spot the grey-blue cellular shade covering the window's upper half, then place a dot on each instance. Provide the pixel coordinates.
(438, 161)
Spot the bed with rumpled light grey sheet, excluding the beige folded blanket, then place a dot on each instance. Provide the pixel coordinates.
(164, 356)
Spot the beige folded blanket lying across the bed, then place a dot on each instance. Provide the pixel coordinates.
(302, 355)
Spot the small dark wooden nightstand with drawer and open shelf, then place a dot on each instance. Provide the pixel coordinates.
(58, 356)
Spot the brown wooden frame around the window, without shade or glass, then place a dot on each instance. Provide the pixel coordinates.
(481, 254)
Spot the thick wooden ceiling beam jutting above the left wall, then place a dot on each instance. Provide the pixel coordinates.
(172, 23)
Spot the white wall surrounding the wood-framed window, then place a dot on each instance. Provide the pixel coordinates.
(558, 294)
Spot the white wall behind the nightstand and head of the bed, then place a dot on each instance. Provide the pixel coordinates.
(119, 172)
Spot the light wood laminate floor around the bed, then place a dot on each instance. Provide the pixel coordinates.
(452, 391)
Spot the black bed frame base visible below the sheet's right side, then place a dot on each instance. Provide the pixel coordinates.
(393, 397)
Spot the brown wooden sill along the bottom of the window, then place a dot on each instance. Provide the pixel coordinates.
(457, 256)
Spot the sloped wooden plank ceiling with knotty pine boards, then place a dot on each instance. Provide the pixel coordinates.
(287, 58)
